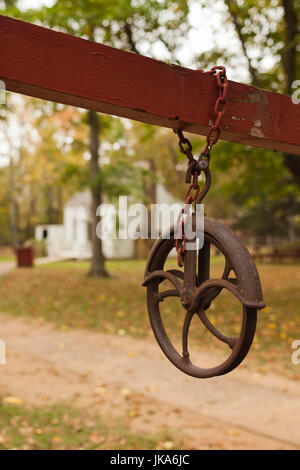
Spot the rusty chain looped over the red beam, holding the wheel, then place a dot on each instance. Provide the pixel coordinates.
(195, 167)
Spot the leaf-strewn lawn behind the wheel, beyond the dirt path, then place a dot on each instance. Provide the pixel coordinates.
(63, 294)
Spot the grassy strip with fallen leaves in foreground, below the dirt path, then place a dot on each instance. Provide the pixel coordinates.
(62, 427)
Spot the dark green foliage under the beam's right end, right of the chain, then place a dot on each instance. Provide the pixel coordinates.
(257, 186)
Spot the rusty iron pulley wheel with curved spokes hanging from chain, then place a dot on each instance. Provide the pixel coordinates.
(196, 293)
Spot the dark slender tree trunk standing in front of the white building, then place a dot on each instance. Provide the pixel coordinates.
(97, 268)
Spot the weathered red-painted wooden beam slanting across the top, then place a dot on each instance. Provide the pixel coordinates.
(54, 66)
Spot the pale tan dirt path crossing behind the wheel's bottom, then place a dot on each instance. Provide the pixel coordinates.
(130, 378)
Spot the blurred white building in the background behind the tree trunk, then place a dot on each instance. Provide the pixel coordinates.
(72, 239)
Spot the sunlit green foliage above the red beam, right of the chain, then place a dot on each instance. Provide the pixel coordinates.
(262, 32)
